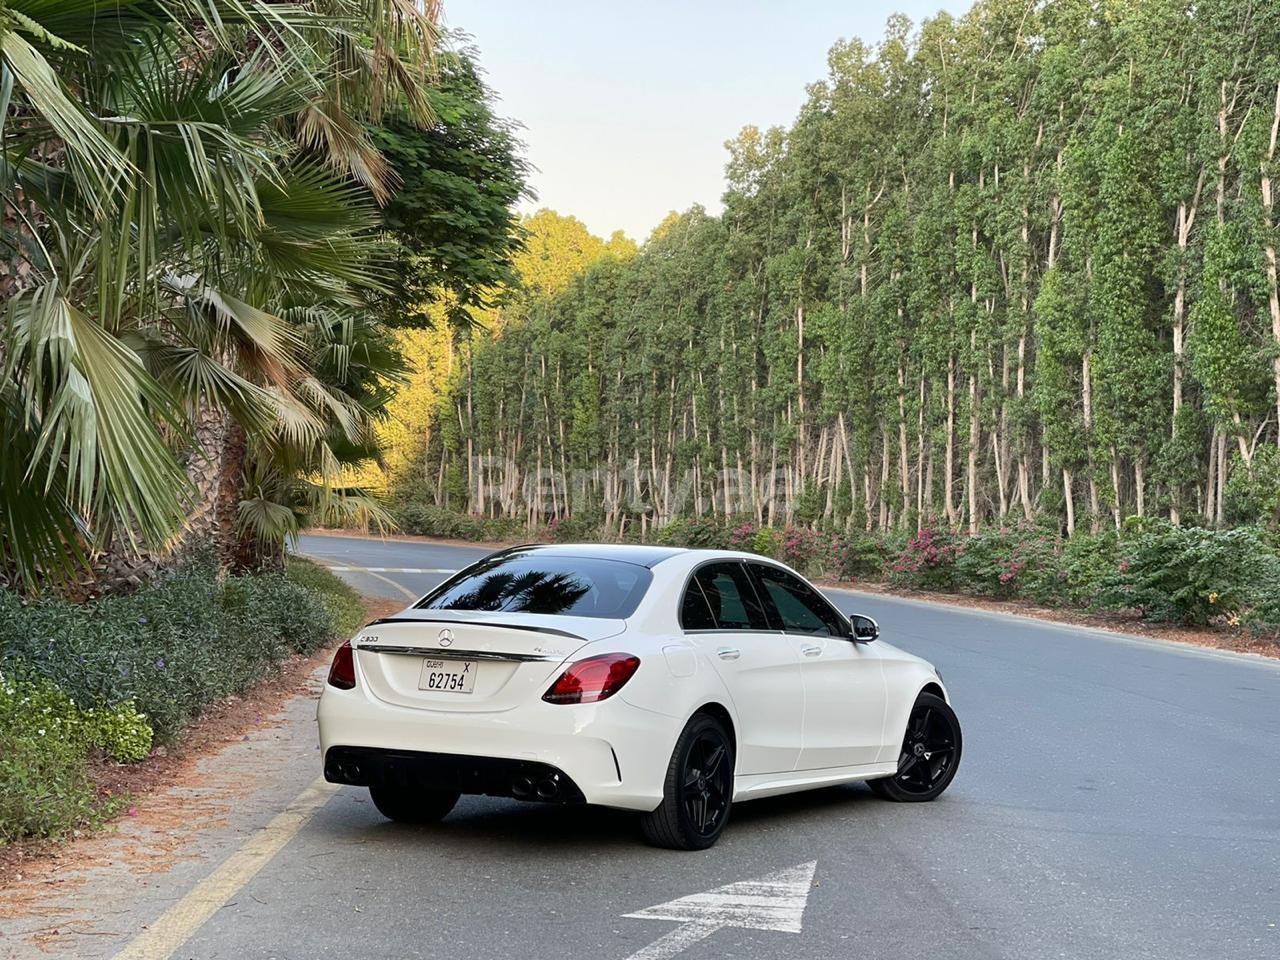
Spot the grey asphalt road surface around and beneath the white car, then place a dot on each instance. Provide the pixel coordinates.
(1118, 799)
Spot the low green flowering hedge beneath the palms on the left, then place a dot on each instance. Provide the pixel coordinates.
(108, 676)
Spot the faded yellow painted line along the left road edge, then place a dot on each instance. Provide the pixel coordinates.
(177, 925)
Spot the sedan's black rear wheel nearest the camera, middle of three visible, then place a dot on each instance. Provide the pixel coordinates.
(698, 790)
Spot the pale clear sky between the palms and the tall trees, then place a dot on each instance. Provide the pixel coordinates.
(627, 106)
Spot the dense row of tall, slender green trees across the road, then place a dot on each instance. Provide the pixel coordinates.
(1014, 266)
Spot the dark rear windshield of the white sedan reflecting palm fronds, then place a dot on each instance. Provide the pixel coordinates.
(569, 587)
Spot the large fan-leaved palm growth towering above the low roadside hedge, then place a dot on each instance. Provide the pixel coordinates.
(190, 237)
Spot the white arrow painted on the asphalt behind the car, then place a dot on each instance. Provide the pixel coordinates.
(772, 903)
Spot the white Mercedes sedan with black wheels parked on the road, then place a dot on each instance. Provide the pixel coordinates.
(666, 682)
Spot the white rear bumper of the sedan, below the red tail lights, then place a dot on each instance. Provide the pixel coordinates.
(610, 753)
